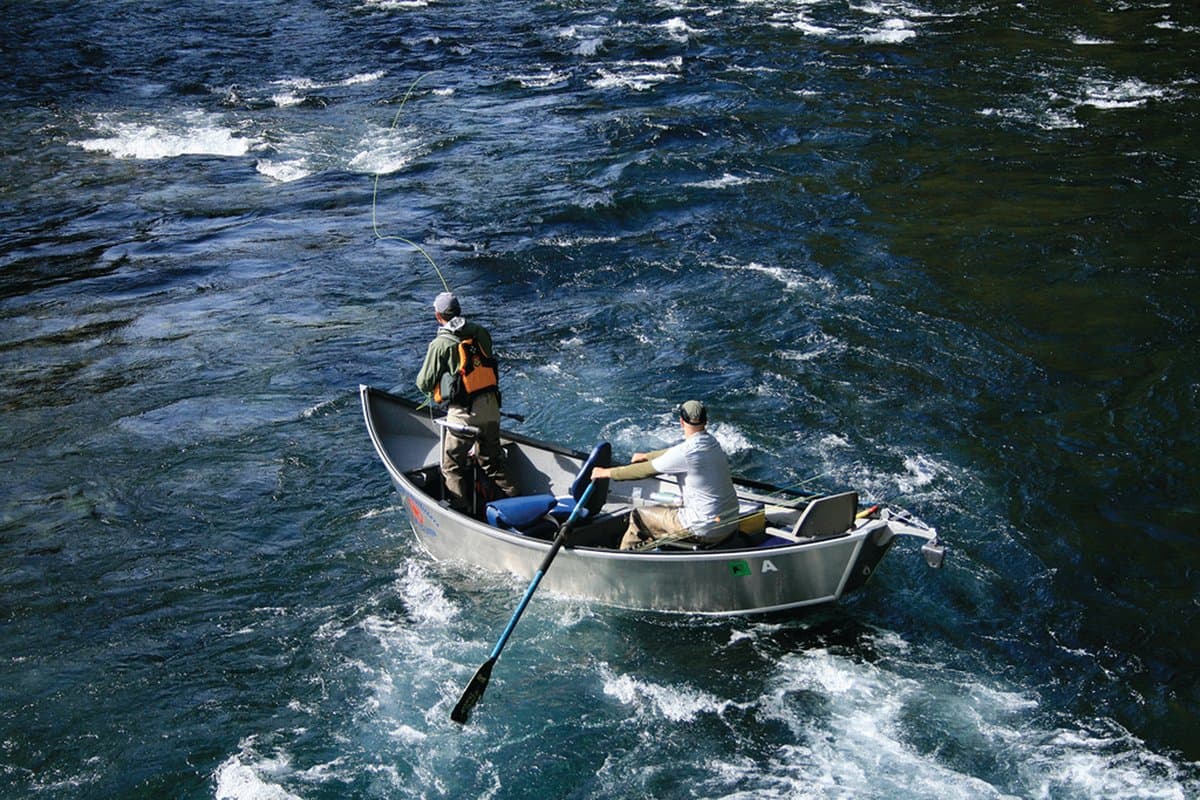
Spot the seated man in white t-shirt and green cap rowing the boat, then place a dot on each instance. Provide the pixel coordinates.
(710, 510)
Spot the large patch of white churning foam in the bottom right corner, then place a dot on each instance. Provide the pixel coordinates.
(863, 742)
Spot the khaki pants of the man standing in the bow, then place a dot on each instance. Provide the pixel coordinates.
(457, 467)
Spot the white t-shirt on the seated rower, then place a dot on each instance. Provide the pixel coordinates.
(710, 501)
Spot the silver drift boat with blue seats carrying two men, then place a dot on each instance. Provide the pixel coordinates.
(790, 551)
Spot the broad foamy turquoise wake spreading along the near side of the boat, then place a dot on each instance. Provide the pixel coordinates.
(823, 708)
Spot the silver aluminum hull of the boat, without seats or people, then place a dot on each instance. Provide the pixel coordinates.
(727, 581)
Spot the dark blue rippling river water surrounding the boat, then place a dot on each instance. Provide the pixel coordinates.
(940, 252)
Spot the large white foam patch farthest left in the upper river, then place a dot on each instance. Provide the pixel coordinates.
(191, 134)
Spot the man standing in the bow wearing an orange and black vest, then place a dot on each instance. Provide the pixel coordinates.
(461, 372)
